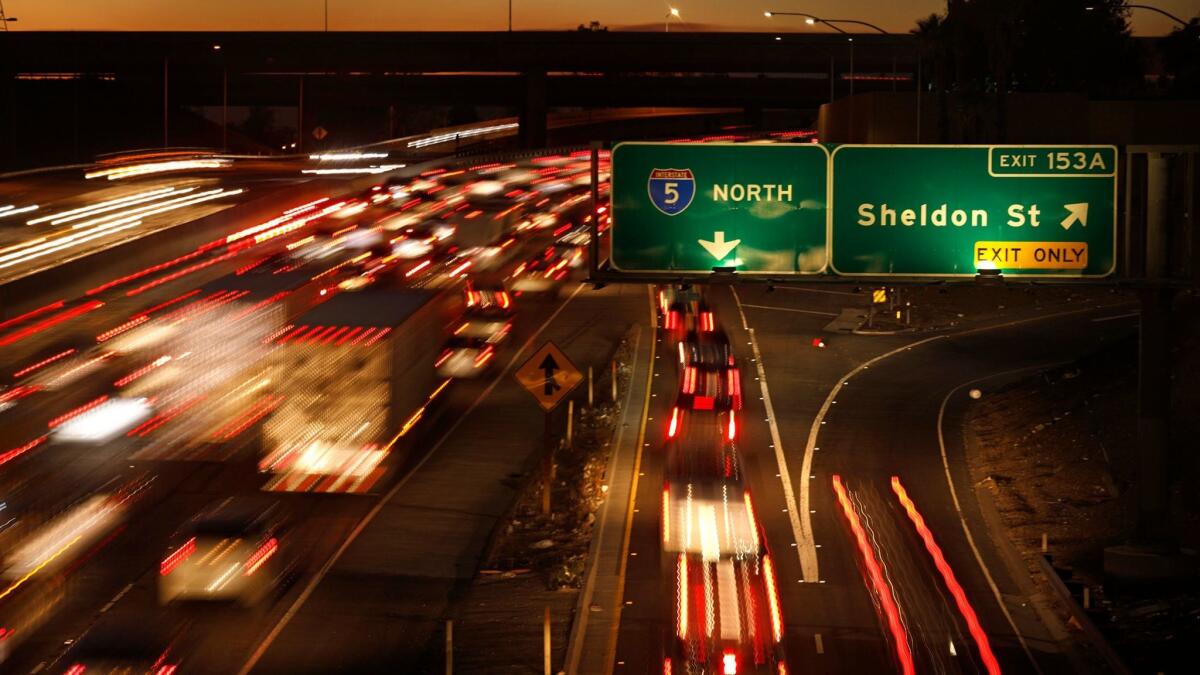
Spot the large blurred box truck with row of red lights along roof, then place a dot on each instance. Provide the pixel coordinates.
(350, 373)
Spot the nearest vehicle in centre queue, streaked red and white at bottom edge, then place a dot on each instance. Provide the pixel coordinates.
(728, 618)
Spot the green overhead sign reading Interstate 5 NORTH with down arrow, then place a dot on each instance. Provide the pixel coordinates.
(691, 208)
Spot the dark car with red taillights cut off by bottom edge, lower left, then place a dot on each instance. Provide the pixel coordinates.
(128, 646)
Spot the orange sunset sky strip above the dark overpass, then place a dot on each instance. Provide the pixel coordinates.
(897, 16)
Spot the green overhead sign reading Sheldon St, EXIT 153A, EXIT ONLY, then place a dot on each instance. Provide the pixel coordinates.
(952, 211)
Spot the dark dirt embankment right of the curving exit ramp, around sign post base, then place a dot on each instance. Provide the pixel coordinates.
(1059, 453)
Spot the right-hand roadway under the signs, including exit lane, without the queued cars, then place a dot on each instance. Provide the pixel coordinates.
(867, 409)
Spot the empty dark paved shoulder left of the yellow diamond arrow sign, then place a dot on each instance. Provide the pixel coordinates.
(398, 582)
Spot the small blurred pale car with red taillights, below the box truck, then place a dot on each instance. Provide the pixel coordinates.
(230, 552)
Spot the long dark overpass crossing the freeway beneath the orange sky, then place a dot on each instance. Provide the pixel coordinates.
(92, 82)
